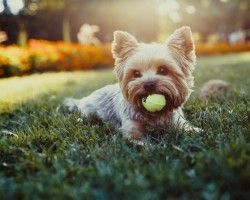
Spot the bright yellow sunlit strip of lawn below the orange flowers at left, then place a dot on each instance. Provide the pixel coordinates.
(17, 90)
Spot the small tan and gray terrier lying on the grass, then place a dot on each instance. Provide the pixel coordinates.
(142, 69)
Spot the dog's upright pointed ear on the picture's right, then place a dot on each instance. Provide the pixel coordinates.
(182, 43)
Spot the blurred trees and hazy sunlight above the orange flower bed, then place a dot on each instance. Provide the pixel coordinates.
(211, 20)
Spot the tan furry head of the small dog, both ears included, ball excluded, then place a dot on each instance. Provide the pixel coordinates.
(144, 69)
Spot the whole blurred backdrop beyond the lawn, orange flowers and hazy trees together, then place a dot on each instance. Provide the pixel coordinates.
(69, 28)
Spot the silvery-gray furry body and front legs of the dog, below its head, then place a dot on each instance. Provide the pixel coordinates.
(109, 105)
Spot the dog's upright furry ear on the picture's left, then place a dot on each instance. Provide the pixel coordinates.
(123, 44)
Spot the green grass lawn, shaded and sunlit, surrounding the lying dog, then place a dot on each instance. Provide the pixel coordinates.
(52, 155)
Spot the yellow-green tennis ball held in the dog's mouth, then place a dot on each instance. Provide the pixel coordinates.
(154, 102)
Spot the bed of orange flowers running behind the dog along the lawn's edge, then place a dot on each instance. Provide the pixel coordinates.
(41, 55)
